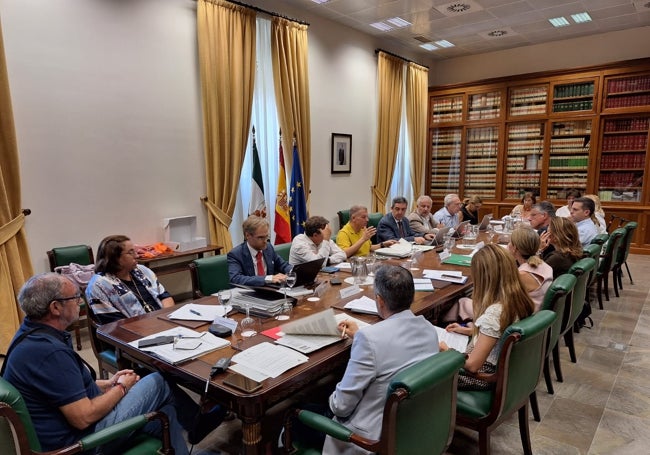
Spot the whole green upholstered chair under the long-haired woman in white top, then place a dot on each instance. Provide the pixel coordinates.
(523, 348)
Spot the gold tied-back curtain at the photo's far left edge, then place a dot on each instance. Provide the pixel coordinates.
(15, 265)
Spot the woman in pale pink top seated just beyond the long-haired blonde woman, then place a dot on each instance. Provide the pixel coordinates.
(536, 275)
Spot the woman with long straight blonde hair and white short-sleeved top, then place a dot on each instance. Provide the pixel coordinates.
(499, 300)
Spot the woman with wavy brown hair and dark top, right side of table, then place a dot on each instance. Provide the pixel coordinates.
(561, 245)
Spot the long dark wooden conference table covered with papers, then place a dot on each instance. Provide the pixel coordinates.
(251, 407)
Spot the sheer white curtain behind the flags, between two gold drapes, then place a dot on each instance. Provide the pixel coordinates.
(265, 121)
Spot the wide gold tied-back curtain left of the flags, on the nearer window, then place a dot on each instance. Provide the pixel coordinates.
(226, 45)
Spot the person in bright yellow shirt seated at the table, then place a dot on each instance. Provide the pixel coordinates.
(354, 237)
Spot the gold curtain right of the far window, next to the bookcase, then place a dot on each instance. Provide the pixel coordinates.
(417, 78)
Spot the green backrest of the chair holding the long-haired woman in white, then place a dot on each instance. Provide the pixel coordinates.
(520, 362)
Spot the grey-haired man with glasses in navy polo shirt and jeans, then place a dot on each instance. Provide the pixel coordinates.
(64, 400)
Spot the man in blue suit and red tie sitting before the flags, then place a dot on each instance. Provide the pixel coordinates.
(255, 262)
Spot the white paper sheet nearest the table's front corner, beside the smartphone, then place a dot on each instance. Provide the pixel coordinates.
(270, 359)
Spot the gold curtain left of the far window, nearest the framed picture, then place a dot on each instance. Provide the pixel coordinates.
(390, 81)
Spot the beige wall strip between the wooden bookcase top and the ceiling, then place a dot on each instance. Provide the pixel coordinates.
(571, 53)
